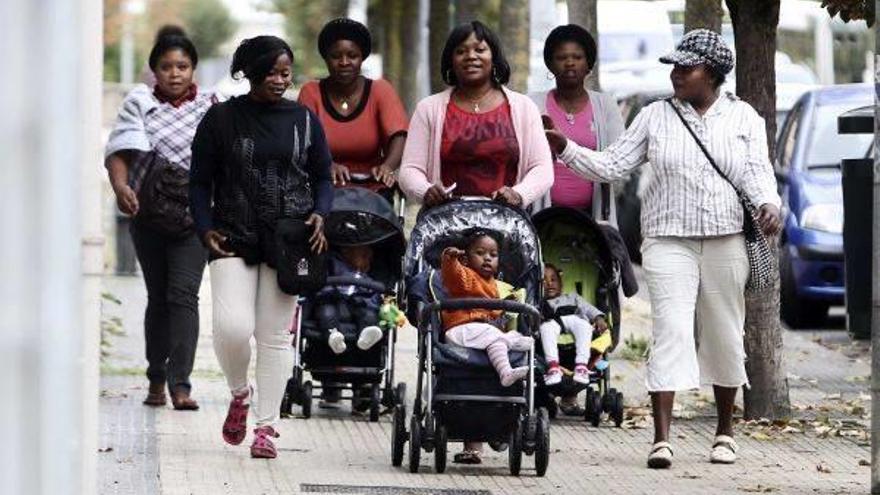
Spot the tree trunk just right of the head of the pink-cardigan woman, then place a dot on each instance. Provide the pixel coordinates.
(514, 34)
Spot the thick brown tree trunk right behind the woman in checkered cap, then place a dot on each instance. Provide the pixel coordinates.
(754, 25)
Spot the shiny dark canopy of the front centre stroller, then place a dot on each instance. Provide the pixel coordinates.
(446, 225)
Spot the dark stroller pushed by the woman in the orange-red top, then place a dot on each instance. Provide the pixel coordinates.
(359, 217)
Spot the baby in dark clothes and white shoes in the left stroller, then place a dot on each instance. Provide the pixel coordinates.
(357, 304)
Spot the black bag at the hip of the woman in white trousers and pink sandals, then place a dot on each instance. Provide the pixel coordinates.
(300, 270)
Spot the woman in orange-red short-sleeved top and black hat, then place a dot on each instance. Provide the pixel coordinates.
(364, 119)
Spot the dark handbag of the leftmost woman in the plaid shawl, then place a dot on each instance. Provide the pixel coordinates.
(163, 197)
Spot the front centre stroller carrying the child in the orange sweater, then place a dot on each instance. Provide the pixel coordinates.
(459, 396)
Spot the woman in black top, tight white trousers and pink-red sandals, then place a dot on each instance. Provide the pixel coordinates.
(259, 158)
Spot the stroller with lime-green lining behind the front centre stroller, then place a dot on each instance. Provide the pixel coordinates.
(576, 244)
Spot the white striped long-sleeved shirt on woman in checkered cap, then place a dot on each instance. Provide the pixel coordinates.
(686, 197)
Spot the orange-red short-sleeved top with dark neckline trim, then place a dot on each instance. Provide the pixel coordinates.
(359, 140)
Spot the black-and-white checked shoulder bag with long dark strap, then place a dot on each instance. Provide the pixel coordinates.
(762, 262)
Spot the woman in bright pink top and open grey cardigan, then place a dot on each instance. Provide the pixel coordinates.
(587, 117)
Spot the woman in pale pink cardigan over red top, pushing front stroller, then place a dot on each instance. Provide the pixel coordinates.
(476, 138)
